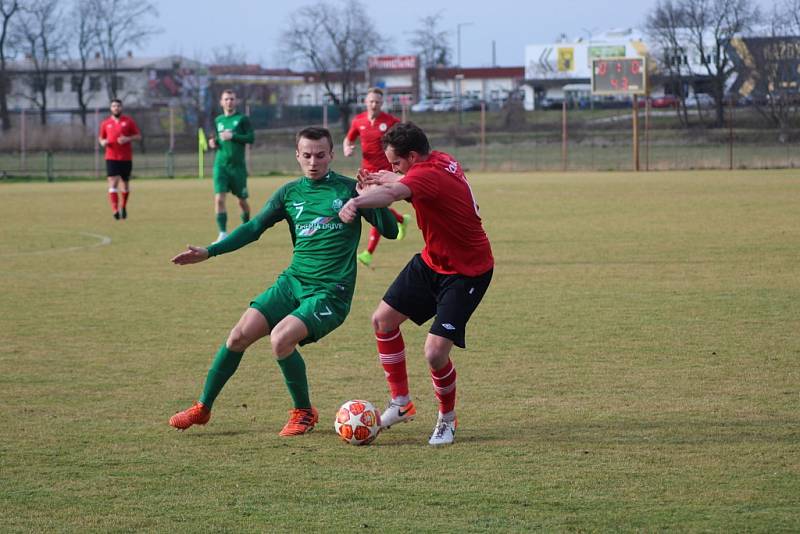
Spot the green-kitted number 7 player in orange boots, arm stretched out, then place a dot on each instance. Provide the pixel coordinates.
(312, 296)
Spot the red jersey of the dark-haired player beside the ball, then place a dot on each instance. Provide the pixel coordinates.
(447, 216)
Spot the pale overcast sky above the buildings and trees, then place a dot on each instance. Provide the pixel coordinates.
(194, 28)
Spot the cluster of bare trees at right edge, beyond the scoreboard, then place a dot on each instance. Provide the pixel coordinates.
(713, 31)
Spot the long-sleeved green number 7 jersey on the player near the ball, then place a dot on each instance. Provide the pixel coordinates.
(324, 247)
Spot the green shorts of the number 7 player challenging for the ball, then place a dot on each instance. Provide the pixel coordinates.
(321, 310)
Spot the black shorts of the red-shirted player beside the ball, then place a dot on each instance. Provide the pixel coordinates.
(419, 293)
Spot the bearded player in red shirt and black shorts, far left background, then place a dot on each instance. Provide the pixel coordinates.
(116, 134)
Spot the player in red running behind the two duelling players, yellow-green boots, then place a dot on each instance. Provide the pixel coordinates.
(370, 127)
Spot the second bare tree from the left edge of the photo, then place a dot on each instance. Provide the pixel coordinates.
(42, 39)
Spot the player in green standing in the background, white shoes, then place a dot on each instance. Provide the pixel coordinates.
(233, 132)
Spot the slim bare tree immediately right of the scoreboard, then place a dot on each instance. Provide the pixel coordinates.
(665, 26)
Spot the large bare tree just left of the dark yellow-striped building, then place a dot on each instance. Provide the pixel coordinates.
(711, 25)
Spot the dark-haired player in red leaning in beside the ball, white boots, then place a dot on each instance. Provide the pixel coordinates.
(447, 279)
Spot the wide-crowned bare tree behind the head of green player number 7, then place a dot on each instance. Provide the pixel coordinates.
(334, 41)
